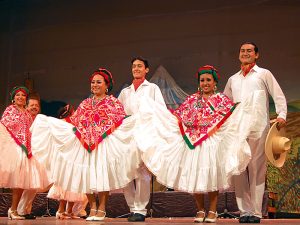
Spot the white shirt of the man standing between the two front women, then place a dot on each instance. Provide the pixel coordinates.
(131, 98)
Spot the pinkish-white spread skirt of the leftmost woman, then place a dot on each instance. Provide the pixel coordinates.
(16, 170)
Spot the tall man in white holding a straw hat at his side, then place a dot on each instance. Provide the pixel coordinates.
(250, 185)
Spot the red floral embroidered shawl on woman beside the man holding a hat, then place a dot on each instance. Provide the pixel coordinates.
(199, 118)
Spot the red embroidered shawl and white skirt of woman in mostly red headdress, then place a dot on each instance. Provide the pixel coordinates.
(92, 152)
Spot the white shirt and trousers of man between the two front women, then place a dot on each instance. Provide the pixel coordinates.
(137, 196)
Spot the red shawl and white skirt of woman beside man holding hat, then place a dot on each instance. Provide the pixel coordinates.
(202, 144)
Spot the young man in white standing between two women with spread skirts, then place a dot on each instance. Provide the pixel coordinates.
(137, 193)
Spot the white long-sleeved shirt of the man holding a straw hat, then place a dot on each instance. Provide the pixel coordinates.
(239, 87)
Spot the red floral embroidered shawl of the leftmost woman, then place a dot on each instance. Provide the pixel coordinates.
(17, 124)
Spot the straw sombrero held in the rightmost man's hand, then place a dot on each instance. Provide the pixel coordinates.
(277, 145)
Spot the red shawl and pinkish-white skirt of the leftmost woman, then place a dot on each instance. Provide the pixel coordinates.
(18, 169)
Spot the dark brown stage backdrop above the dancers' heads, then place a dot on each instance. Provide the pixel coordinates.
(59, 43)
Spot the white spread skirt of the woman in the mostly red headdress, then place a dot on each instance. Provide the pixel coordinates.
(110, 166)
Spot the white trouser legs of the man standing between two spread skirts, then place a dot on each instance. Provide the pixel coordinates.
(137, 194)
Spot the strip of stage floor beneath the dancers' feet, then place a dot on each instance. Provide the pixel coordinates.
(123, 221)
